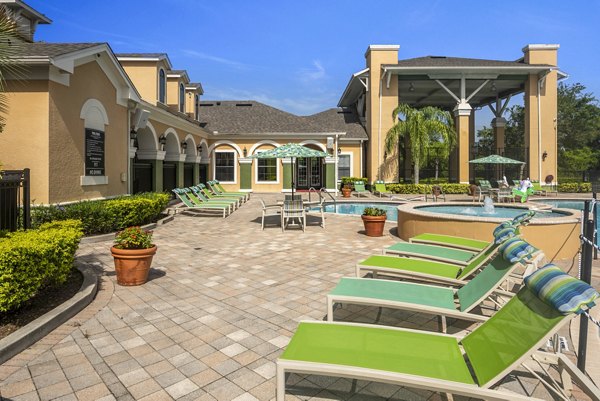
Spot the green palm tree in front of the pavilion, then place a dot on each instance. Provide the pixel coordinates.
(424, 128)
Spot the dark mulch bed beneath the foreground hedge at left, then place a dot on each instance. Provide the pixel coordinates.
(43, 302)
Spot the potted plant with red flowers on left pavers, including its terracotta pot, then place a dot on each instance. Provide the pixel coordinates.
(133, 252)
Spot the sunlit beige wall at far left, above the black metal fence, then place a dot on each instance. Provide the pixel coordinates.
(24, 142)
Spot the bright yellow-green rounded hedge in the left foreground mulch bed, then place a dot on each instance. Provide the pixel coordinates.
(31, 260)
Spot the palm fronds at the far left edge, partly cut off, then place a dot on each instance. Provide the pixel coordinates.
(10, 48)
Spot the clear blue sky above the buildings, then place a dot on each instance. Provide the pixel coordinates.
(298, 56)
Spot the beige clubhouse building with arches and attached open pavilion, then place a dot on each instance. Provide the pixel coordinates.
(90, 123)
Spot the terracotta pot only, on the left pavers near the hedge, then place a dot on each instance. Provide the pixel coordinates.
(132, 265)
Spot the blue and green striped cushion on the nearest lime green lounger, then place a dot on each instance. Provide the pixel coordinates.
(561, 291)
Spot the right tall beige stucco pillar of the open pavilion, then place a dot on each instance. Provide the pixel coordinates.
(548, 114)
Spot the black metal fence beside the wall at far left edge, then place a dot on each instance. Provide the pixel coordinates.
(15, 212)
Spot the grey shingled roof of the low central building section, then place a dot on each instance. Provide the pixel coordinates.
(236, 117)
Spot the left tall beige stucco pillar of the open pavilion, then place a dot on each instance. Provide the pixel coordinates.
(389, 101)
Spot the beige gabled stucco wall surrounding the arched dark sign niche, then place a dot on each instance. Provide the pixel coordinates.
(67, 136)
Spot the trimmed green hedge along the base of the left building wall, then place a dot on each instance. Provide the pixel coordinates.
(105, 216)
